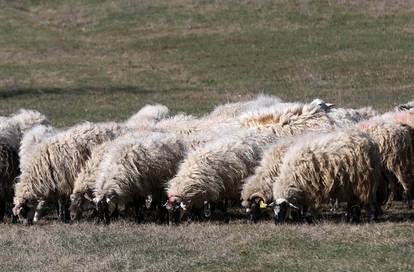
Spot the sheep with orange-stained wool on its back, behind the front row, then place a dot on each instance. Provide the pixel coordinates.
(287, 119)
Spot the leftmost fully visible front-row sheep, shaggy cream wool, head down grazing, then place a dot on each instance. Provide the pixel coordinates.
(54, 165)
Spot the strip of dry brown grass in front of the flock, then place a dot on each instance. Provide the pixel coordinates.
(237, 246)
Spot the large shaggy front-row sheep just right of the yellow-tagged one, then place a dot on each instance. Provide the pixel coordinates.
(343, 164)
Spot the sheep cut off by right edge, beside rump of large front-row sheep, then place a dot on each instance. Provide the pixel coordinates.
(395, 146)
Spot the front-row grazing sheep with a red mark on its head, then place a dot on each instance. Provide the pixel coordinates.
(214, 172)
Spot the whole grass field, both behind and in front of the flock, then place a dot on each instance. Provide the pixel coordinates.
(103, 60)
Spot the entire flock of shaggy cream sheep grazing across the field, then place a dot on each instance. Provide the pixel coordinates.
(265, 154)
